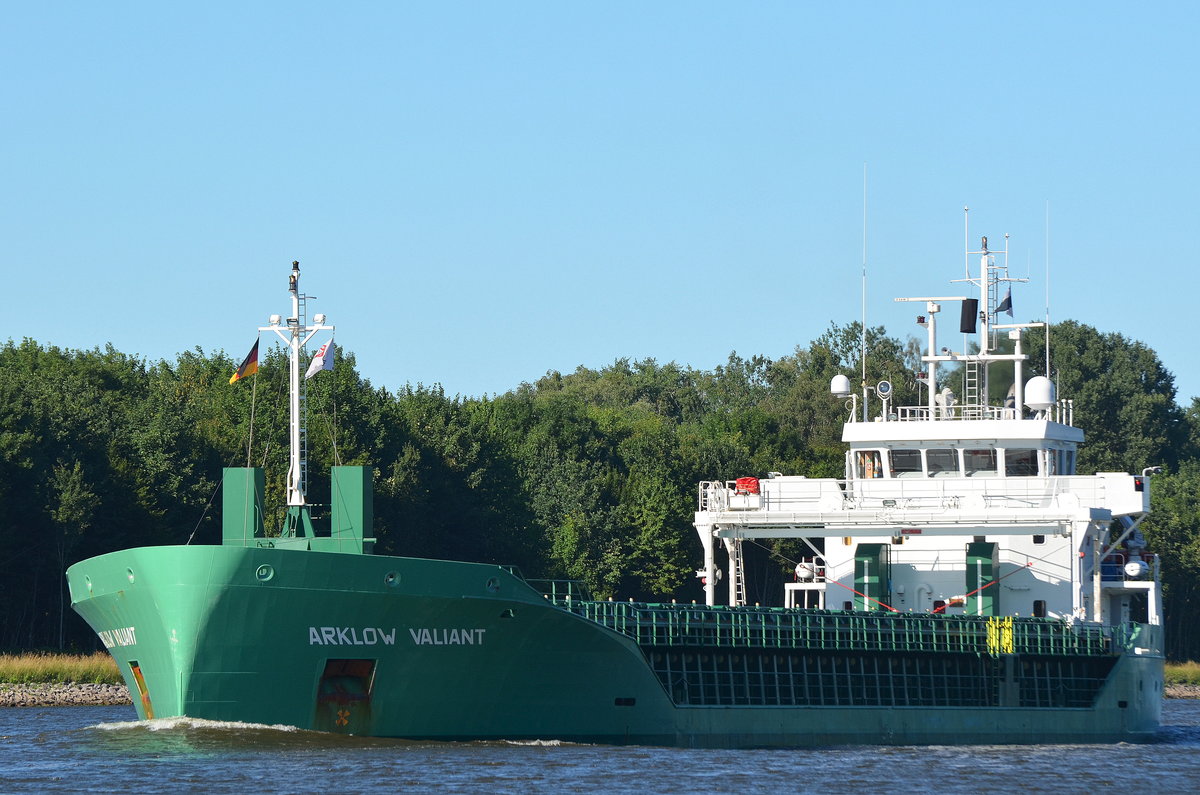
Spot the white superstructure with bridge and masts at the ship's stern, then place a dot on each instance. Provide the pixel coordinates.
(953, 506)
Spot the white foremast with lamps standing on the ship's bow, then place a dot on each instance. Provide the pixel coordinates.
(296, 333)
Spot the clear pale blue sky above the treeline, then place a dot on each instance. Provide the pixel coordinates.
(481, 193)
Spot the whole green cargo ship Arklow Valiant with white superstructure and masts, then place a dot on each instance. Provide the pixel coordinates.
(959, 585)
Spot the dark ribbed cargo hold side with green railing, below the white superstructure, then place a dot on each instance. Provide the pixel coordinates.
(715, 656)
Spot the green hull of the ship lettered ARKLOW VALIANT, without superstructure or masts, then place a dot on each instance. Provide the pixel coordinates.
(435, 650)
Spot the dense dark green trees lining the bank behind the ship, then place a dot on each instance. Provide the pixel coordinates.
(590, 475)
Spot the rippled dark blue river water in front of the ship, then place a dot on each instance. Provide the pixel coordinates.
(104, 750)
